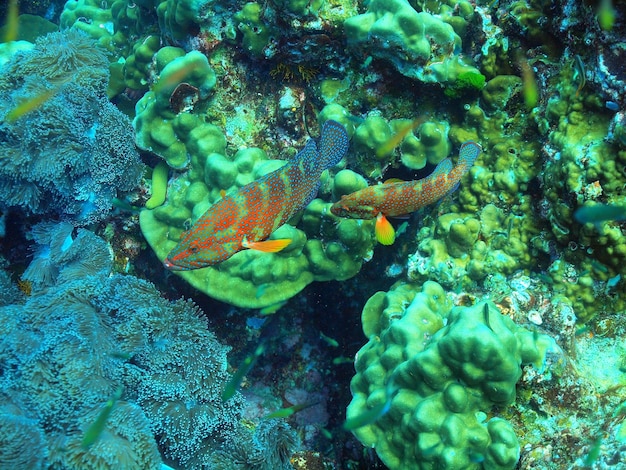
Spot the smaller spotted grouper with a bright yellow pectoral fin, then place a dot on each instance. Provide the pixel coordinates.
(394, 199)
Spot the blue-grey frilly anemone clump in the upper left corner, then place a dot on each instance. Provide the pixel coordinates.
(73, 154)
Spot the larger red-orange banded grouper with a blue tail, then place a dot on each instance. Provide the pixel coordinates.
(247, 217)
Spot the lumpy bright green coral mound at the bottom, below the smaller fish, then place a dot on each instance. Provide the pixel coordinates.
(446, 367)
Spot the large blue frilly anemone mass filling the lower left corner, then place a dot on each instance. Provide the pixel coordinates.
(68, 348)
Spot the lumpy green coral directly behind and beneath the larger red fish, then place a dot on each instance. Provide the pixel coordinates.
(323, 246)
